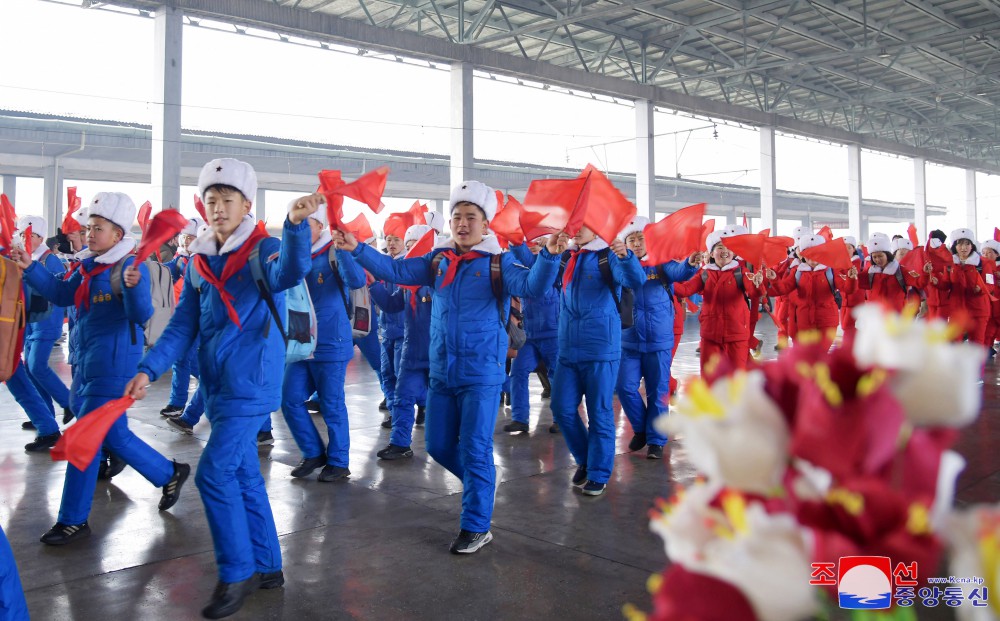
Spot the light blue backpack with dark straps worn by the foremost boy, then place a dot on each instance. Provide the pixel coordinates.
(300, 314)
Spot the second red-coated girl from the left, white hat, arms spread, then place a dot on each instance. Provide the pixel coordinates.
(816, 286)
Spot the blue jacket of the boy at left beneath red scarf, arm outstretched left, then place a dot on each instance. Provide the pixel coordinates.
(109, 332)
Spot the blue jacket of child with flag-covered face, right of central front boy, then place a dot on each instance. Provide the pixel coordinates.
(590, 328)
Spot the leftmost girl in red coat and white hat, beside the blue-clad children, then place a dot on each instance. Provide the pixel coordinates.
(725, 312)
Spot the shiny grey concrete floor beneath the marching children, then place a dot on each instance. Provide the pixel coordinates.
(376, 546)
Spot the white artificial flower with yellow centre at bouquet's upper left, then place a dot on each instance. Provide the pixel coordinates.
(733, 432)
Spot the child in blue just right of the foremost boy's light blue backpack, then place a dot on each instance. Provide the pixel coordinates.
(324, 373)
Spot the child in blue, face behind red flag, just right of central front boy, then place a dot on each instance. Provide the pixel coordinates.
(590, 332)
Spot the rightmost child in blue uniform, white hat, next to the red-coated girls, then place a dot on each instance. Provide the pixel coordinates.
(647, 346)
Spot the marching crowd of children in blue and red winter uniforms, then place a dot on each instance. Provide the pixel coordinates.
(598, 320)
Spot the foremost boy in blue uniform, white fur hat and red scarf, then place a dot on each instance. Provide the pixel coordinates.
(240, 346)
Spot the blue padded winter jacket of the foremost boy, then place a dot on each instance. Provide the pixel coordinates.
(240, 368)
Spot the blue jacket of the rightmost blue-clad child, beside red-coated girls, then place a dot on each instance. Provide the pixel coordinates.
(654, 309)
